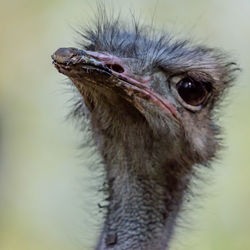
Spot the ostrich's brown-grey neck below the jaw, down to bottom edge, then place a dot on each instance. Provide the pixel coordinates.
(145, 189)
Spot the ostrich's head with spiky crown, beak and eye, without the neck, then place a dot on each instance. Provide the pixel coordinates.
(129, 77)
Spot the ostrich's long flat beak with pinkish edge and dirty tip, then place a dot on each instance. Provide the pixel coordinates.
(86, 68)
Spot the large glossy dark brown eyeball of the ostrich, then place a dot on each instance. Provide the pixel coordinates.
(192, 92)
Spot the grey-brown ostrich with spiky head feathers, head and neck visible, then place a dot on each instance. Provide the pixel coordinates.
(151, 100)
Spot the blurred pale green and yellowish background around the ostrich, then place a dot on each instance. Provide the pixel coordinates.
(48, 194)
